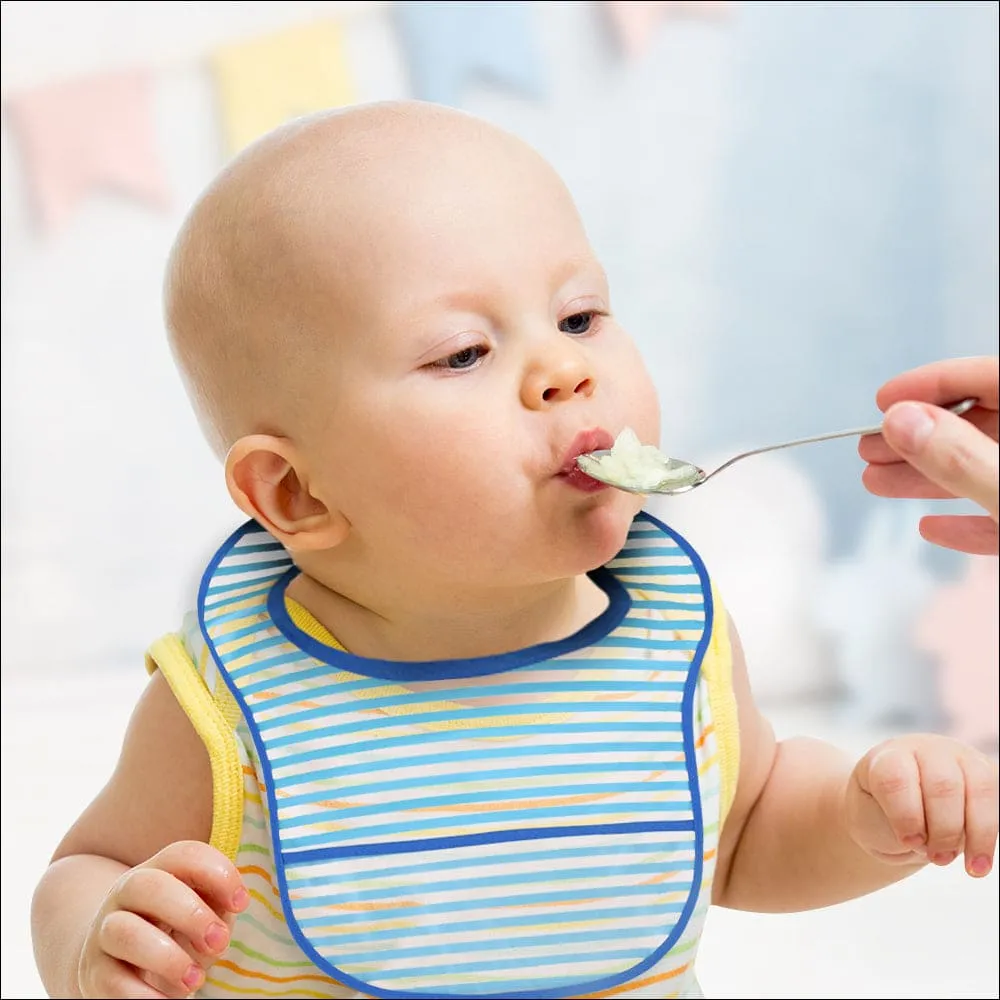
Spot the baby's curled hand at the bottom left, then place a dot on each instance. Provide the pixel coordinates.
(162, 925)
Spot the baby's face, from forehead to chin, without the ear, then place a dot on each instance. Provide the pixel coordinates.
(477, 355)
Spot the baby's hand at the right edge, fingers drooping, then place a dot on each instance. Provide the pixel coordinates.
(925, 798)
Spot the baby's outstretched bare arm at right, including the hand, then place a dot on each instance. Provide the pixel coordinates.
(809, 828)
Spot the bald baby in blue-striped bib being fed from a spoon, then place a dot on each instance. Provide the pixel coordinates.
(451, 718)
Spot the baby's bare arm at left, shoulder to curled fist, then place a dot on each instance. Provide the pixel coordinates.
(134, 891)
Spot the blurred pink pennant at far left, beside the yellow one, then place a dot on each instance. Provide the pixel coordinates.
(86, 133)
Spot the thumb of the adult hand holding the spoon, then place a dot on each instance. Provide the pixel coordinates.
(948, 450)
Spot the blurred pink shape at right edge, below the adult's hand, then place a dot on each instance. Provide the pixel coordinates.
(960, 629)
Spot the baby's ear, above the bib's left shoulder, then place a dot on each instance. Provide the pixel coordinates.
(264, 480)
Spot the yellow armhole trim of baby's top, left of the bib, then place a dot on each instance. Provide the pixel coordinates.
(171, 658)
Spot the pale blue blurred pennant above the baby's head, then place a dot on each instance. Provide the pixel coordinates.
(449, 45)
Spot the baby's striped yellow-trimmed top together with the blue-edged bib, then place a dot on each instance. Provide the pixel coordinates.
(541, 823)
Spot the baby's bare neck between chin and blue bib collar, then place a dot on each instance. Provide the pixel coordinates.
(499, 623)
